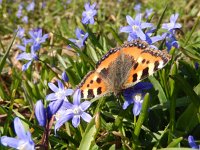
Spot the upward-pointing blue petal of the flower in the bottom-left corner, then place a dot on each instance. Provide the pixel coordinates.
(19, 128)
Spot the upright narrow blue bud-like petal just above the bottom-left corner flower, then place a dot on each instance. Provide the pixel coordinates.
(40, 113)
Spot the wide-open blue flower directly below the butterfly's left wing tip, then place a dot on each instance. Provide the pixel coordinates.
(73, 111)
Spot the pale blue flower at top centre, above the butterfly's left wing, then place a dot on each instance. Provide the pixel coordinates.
(89, 13)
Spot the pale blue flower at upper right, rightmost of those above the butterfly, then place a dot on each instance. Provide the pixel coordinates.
(172, 25)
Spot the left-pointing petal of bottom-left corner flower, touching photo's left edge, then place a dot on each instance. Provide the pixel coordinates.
(11, 142)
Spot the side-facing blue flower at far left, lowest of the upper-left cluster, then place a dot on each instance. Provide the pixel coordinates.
(27, 56)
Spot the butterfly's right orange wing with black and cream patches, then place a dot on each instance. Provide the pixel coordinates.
(147, 61)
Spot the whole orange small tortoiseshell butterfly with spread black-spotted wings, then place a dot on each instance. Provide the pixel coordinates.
(121, 68)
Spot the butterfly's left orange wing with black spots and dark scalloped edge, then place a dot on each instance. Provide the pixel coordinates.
(93, 85)
